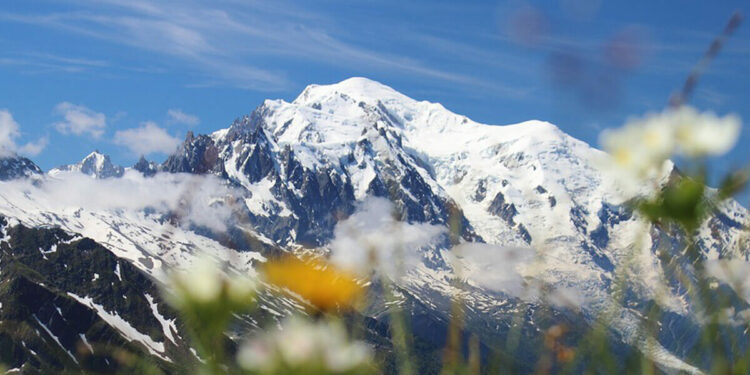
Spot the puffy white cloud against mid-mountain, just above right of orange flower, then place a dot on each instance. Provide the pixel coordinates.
(371, 237)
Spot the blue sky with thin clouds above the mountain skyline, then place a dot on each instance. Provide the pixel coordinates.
(130, 77)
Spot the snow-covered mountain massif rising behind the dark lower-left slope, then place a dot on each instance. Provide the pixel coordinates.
(527, 204)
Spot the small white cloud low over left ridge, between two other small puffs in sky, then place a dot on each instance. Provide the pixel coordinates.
(147, 139)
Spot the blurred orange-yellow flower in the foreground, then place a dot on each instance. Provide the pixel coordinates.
(323, 285)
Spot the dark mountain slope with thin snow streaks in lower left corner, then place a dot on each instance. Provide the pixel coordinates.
(68, 303)
